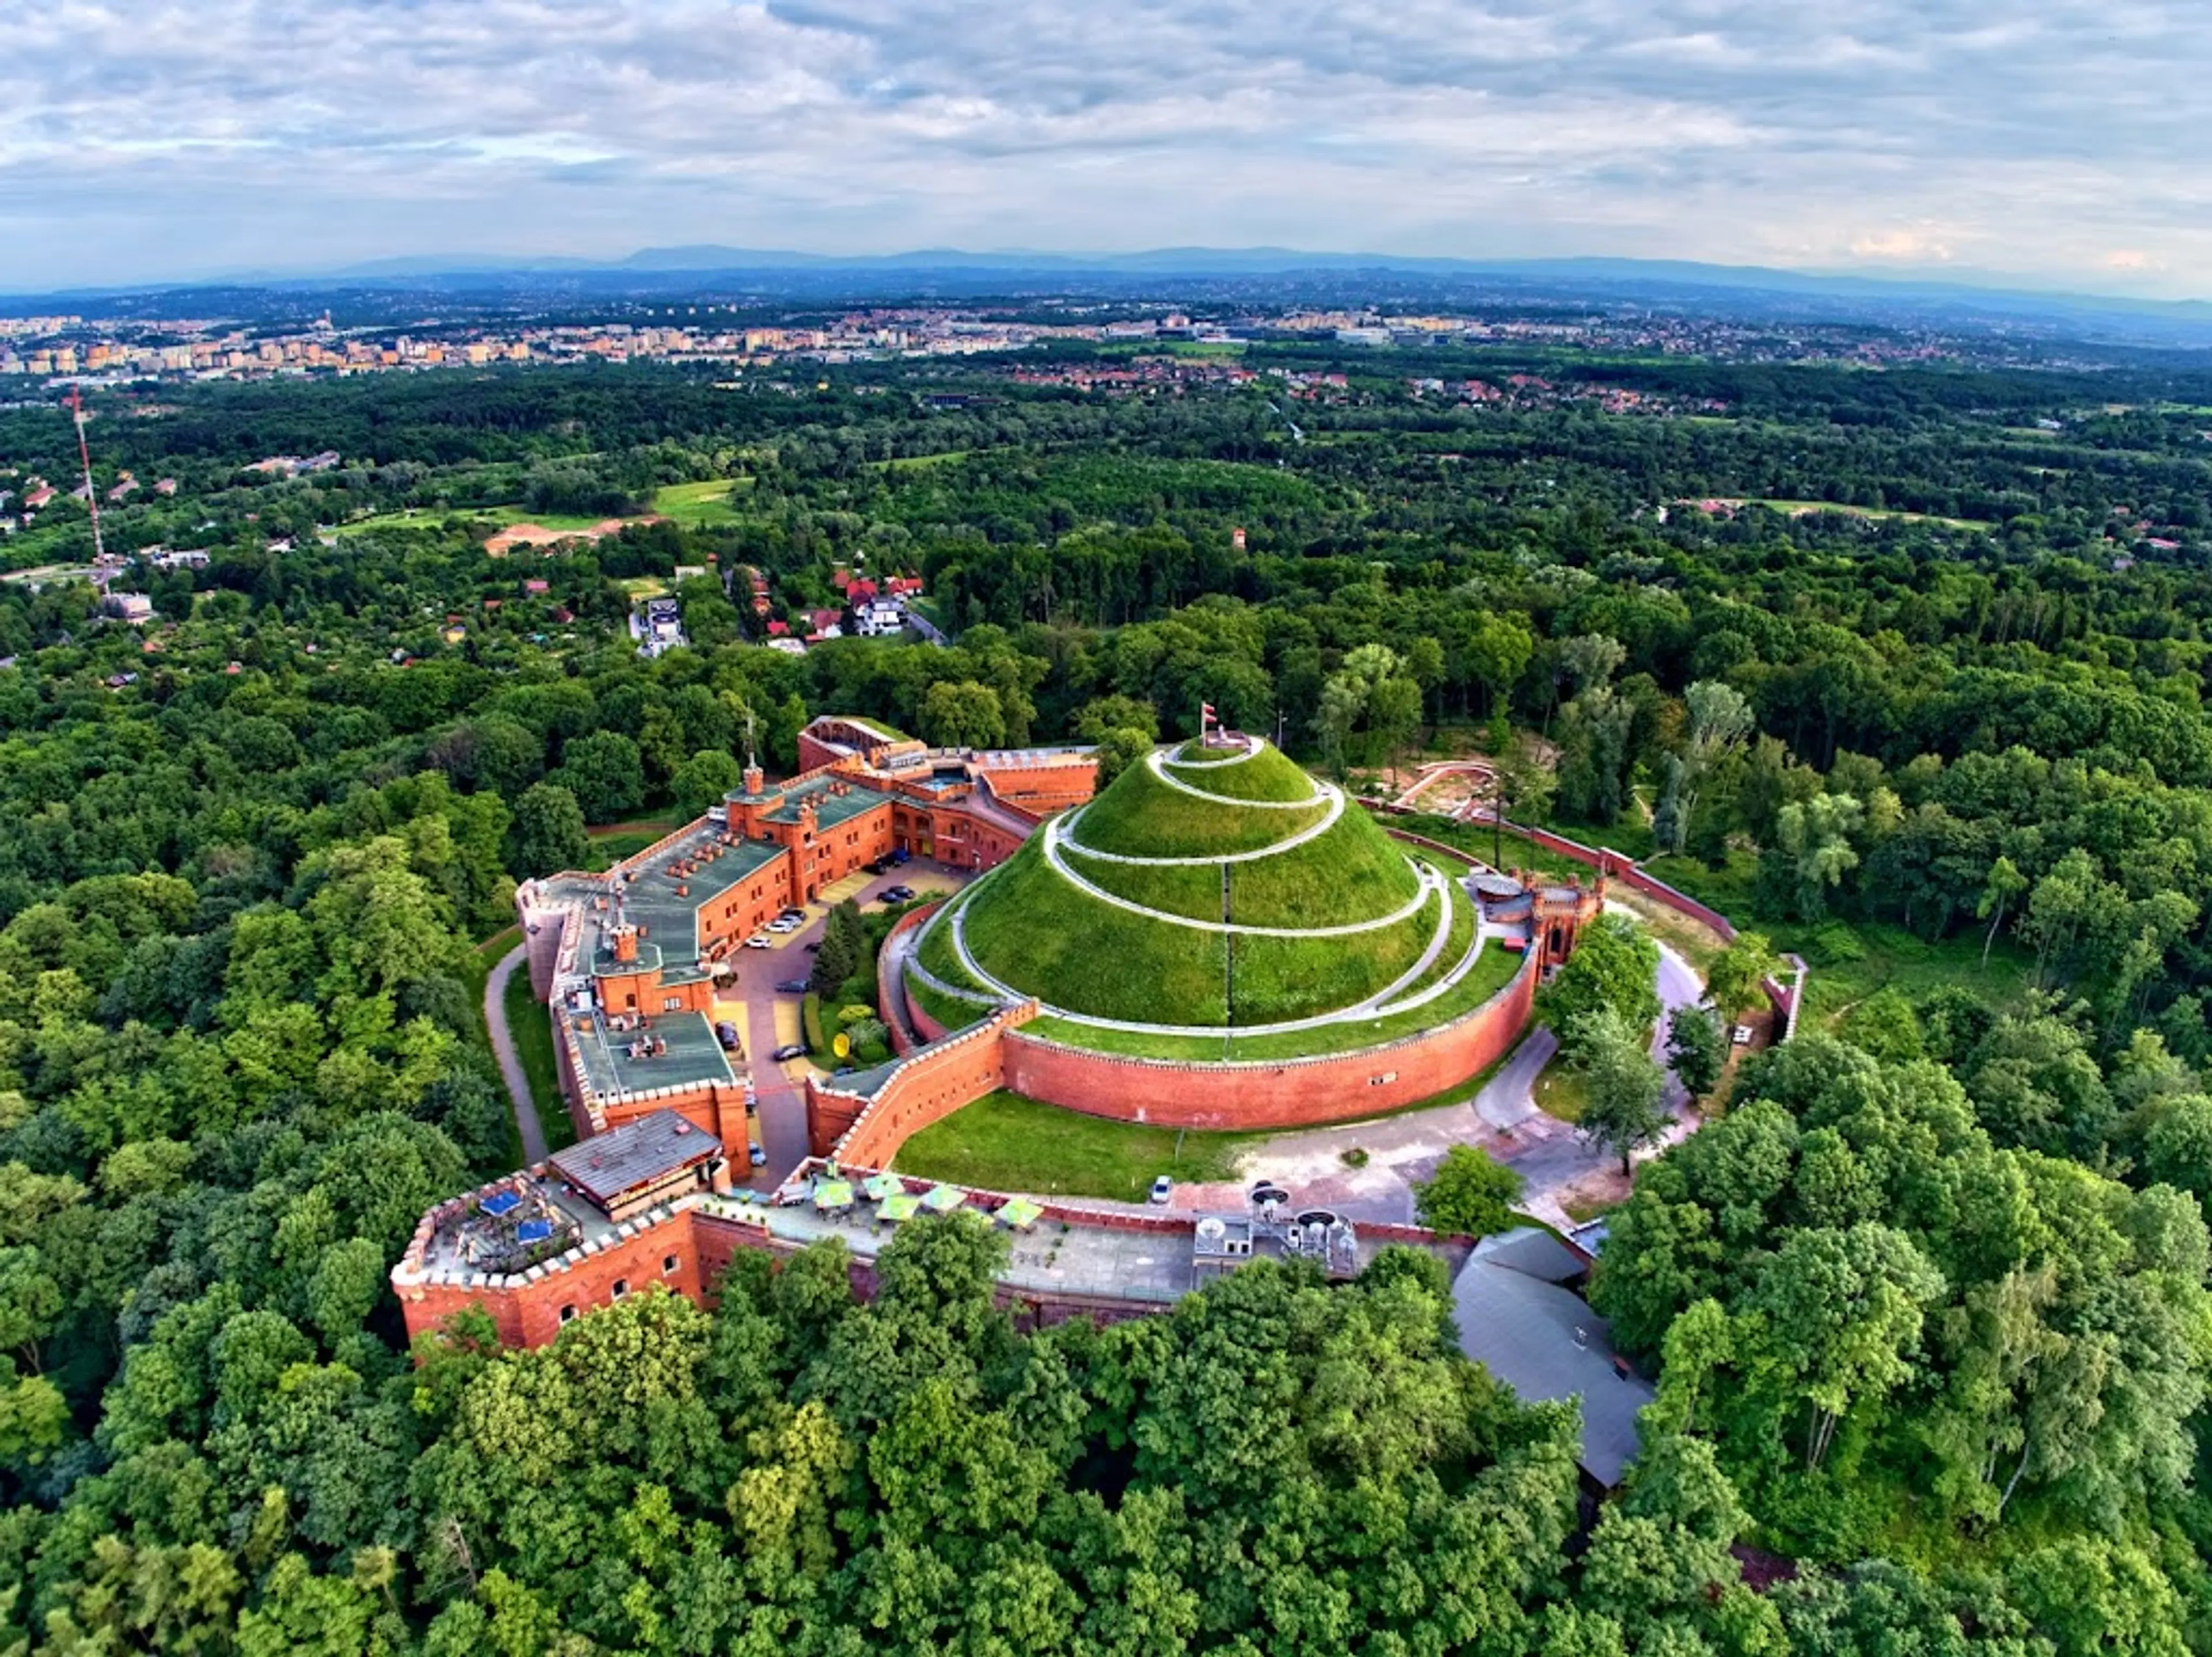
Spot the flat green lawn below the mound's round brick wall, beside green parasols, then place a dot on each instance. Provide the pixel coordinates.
(1008, 1143)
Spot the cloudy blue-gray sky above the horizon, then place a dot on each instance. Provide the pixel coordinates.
(2060, 143)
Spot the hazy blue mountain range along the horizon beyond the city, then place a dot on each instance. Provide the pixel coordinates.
(1932, 295)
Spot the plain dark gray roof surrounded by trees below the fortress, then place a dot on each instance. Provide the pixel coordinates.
(1547, 1344)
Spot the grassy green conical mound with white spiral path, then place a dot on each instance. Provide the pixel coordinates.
(1043, 935)
